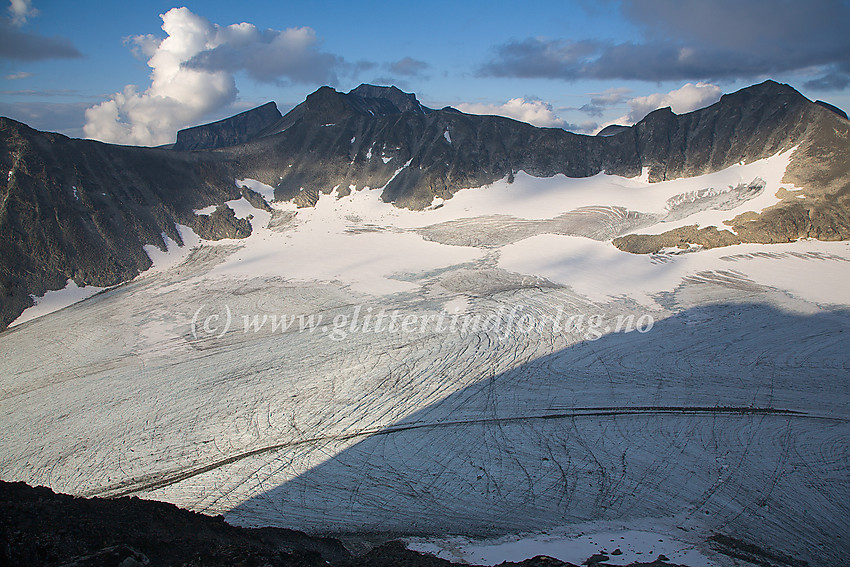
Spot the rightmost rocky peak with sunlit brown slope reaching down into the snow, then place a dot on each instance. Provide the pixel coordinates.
(820, 167)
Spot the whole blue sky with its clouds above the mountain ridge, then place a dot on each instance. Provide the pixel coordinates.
(577, 65)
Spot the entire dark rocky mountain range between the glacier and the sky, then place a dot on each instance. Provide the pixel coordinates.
(84, 210)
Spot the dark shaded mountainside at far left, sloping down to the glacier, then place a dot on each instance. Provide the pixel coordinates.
(84, 210)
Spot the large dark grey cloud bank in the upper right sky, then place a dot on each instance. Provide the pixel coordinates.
(696, 40)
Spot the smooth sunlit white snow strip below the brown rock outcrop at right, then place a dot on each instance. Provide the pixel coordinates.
(601, 272)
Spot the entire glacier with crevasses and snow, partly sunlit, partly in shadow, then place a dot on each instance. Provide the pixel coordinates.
(490, 377)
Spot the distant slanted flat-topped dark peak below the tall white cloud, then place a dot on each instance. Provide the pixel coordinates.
(230, 131)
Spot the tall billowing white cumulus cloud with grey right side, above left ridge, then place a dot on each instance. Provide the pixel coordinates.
(193, 75)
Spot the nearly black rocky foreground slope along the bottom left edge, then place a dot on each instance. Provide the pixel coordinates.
(39, 528)
